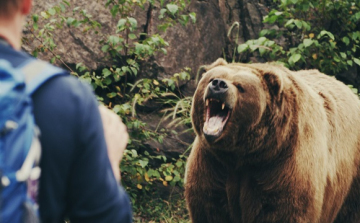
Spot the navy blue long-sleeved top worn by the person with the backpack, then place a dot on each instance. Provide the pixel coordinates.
(76, 181)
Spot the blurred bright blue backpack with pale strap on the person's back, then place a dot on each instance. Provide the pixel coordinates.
(20, 148)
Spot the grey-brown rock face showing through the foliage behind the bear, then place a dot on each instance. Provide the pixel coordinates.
(190, 46)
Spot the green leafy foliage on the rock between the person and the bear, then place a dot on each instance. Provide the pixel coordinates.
(144, 172)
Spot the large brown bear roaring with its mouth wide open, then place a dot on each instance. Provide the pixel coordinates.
(273, 145)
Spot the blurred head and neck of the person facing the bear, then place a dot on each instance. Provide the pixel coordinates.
(12, 19)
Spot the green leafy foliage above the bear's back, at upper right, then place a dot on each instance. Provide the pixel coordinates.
(309, 34)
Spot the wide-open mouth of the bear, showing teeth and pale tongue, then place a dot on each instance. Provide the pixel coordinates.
(217, 115)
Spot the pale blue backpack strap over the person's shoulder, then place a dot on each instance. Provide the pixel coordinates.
(38, 72)
